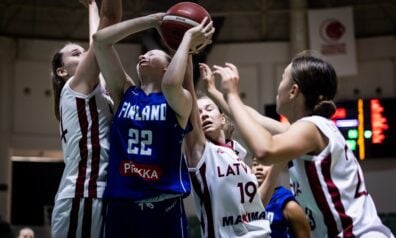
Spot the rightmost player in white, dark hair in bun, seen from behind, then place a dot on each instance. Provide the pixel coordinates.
(326, 178)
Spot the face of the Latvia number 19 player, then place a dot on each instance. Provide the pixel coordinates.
(212, 119)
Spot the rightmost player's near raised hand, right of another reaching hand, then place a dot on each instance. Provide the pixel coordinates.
(229, 76)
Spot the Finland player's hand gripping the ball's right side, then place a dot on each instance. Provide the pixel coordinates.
(201, 35)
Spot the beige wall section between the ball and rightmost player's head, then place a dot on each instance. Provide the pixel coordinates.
(264, 61)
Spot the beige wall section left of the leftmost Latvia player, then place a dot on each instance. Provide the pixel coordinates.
(33, 122)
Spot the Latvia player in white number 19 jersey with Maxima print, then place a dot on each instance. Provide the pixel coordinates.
(225, 189)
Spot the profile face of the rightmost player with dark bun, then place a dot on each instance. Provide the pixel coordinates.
(282, 96)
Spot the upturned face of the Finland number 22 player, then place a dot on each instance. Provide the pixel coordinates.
(153, 60)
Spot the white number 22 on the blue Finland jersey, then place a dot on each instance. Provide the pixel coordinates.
(140, 141)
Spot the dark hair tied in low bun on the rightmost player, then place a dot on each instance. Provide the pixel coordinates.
(317, 80)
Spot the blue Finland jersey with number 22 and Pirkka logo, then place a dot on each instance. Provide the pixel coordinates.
(146, 160)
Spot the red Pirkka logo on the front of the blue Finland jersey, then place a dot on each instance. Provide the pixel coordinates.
(147, 172)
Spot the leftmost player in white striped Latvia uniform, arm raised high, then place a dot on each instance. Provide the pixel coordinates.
(82, 107)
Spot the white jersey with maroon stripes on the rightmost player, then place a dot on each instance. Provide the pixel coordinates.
(331, 189)
